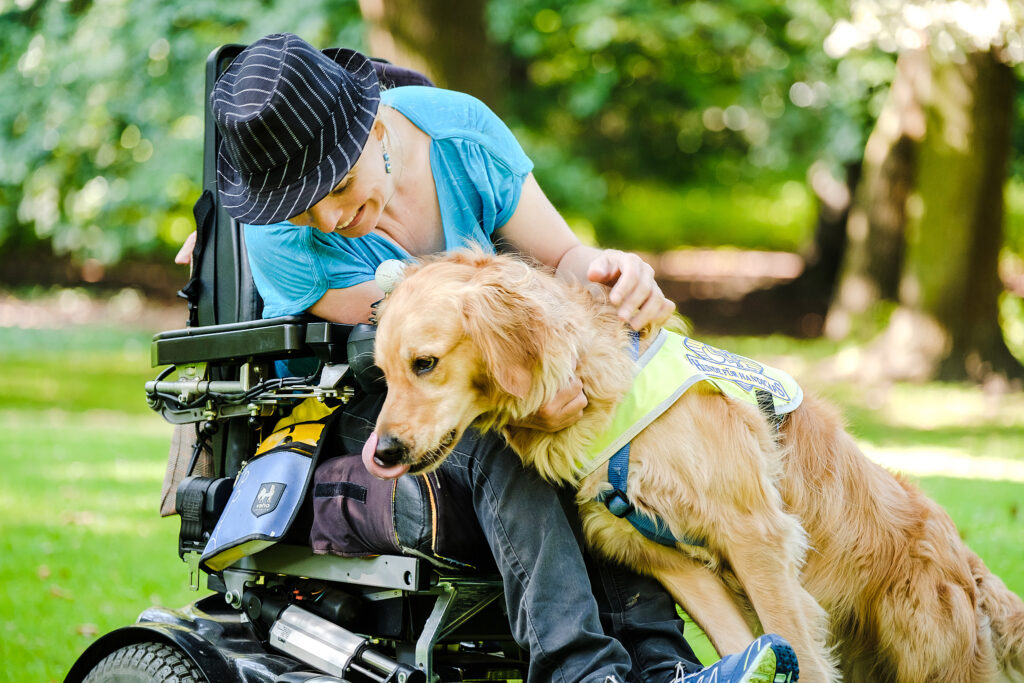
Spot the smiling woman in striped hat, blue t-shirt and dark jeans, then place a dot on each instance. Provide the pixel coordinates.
(331, 178)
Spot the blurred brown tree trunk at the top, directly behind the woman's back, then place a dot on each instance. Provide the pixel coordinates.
(445, 39)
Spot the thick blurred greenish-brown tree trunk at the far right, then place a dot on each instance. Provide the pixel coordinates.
(951, 283)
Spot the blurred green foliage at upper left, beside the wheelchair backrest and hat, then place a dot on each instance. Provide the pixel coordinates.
(103, 146)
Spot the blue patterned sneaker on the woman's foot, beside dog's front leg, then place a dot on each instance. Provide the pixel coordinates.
(767, 660)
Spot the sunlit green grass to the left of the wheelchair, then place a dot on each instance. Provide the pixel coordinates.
(83, 550)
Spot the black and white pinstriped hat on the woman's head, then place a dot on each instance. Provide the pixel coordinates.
(293, 121)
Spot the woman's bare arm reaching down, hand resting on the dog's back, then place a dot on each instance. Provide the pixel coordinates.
(538, 230)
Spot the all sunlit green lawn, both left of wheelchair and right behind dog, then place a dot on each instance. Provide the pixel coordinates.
(82, 549)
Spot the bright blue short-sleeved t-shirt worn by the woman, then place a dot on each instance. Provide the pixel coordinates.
(479, 169)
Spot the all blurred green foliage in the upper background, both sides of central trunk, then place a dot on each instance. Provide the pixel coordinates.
(613, 99)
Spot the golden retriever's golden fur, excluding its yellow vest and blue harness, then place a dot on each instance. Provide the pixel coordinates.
(806, 538)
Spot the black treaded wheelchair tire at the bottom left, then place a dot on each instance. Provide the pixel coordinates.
(146, 663)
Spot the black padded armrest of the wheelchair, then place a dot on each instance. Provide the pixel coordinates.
(269, 339)
